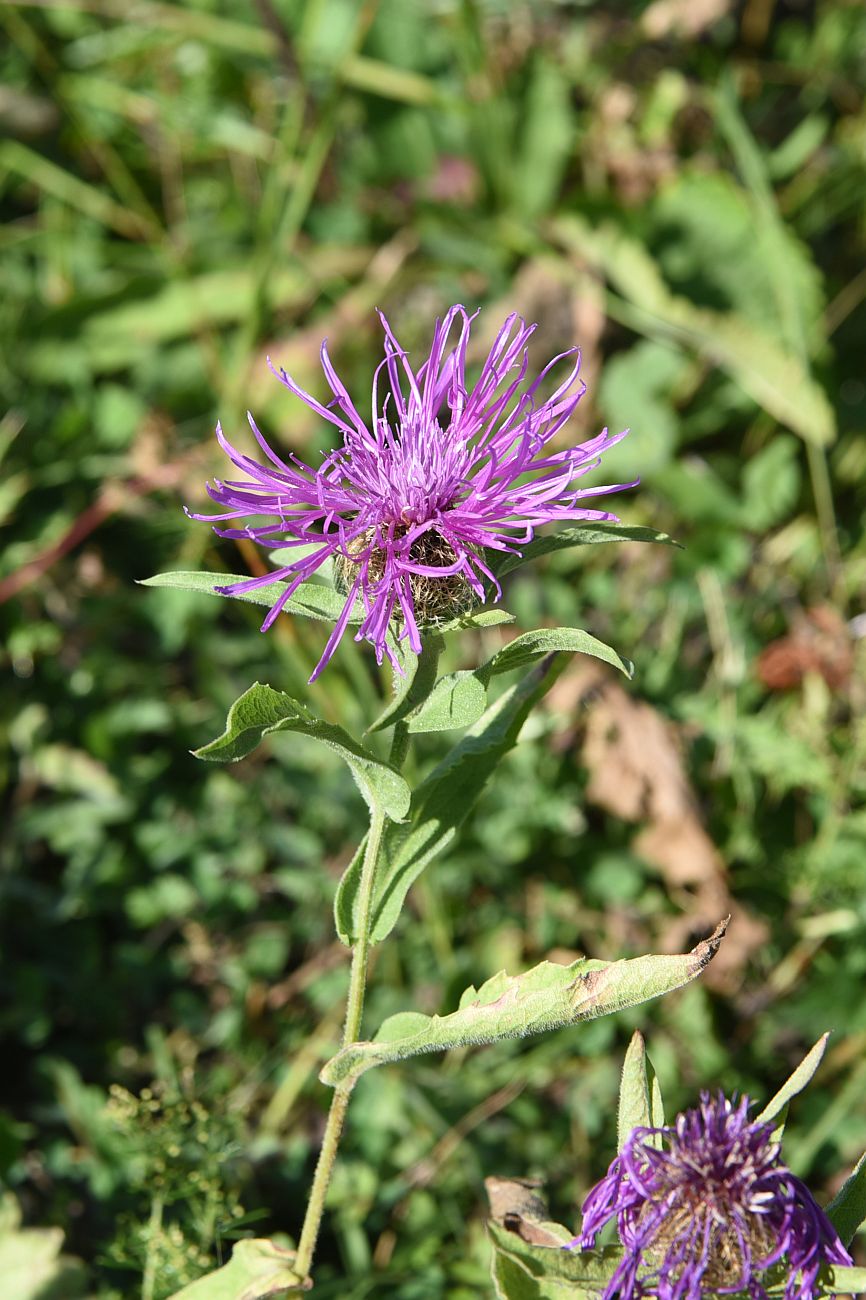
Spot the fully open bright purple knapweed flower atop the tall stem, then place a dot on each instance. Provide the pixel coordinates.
(410, 502)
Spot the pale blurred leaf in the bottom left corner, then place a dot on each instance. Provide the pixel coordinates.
(32, 1264)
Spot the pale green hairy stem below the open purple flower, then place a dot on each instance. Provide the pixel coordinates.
(352, 1029)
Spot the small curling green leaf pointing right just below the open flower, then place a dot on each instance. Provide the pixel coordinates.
(460, 699)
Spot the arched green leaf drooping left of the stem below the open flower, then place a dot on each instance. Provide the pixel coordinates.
(263, 712)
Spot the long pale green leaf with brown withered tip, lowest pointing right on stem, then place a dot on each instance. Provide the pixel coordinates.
(510, 1007)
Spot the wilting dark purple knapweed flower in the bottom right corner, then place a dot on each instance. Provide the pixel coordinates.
(707, 1206)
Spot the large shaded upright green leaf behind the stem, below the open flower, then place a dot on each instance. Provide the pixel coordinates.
(441, 804)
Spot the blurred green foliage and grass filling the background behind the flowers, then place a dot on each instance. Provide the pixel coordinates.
(679, 187)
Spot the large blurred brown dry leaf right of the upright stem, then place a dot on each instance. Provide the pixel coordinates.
(636, 773)
